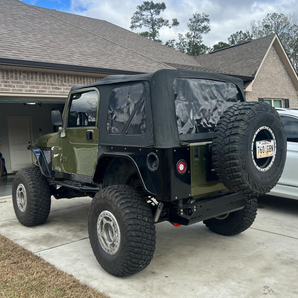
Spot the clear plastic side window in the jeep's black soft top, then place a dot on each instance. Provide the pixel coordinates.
(126, 111)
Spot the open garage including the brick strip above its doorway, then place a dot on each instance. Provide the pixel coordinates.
(27, 97)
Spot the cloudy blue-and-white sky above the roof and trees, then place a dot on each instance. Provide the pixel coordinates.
(227, 17)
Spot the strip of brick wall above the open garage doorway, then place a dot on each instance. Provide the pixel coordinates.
(17, 81)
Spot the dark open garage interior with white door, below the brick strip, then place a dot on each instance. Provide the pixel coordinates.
(22, 121)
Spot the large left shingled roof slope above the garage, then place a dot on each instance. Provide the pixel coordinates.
(36, 34)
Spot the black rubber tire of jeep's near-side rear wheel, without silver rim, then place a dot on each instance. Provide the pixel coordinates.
(139, 229)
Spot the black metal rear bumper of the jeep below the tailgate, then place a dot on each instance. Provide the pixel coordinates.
(202, 210)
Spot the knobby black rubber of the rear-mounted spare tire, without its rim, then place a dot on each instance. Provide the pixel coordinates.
(227, 152)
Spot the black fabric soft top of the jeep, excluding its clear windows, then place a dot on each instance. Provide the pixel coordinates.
(162, 130)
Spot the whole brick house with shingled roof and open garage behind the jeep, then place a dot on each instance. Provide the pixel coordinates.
(44, 52)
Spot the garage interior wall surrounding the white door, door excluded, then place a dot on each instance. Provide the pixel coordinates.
(40, 120)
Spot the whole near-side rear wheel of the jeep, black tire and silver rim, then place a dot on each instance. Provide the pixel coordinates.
(121, 230)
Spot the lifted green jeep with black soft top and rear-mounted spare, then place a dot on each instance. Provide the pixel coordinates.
(175, 145)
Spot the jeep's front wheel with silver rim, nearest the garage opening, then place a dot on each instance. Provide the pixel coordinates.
(31, 197)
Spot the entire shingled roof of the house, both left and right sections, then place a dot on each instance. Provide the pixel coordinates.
(38, 34)
